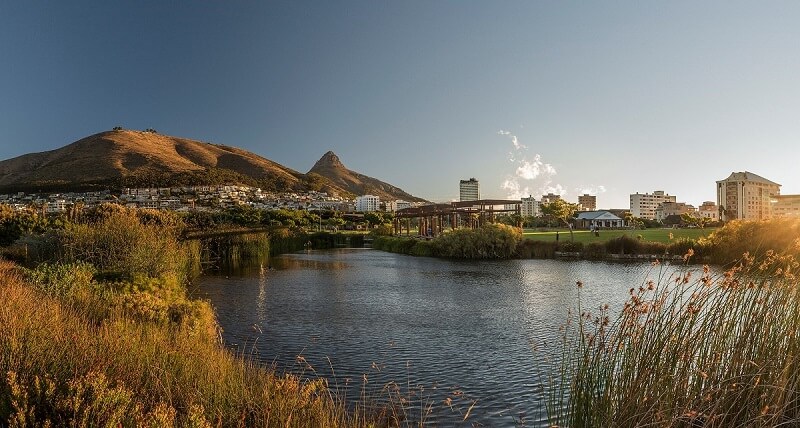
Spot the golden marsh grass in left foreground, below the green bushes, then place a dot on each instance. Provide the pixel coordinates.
(60, 365)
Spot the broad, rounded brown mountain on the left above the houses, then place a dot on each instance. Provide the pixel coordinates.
(127, 158)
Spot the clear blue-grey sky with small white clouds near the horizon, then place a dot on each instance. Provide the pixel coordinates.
(528, 97)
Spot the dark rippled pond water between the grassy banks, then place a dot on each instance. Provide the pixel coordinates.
(453, 339)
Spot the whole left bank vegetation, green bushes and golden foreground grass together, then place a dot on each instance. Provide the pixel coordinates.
(101, 331)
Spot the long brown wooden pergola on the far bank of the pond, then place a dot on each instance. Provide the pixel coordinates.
(433, 219)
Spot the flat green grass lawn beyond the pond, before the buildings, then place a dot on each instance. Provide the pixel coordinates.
(655, 235)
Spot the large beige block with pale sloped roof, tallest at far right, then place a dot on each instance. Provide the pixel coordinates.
(747, 196)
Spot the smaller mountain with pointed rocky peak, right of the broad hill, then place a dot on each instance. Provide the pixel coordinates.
(331, 168)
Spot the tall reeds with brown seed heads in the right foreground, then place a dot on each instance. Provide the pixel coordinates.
(689, 349)
